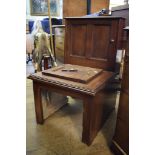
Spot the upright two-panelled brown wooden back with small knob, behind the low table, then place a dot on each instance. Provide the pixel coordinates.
(92, 42)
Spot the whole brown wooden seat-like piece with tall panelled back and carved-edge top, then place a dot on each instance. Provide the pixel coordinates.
(89, 42)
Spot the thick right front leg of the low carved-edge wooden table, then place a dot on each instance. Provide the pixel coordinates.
(92, 118)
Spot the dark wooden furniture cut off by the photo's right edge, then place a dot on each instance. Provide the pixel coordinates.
(120, 142)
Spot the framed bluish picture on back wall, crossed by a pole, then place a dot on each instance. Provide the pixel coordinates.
(40, 7)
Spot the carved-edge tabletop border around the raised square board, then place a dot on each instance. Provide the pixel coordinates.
(90, 88)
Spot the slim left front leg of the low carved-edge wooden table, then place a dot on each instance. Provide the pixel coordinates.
(38, 103)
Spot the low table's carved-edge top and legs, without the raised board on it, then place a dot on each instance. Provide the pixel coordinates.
(91, 93)
